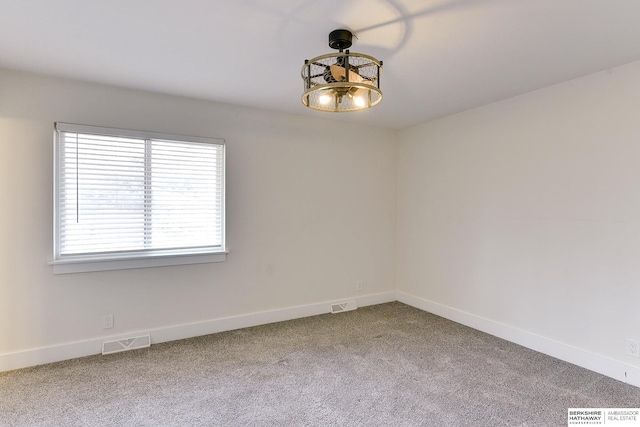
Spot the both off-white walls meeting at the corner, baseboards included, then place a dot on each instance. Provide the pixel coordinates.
(521, 218)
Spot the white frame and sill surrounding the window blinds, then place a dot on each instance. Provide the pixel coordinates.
(130, 259)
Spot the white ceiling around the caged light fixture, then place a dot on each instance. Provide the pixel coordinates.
(440, 56)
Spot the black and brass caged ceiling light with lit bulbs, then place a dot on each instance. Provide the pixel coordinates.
(342, 81)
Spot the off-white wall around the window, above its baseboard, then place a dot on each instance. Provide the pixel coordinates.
(310, 208)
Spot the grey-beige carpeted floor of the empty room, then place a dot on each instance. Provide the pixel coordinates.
(384, 365)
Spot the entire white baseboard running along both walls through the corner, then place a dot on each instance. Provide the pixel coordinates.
(594, 362)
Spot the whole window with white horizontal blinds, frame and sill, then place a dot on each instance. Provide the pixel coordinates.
(127, 199)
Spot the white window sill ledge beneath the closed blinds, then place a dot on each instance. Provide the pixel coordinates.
(83, 266)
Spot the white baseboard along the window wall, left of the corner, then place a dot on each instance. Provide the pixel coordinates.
(57, 353)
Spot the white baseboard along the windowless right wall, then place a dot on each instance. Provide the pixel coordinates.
(585, 359)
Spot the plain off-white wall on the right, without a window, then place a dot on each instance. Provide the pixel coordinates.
(526, 214)
